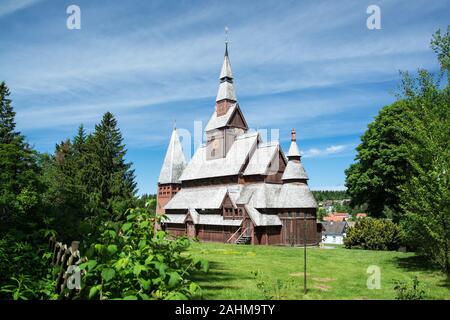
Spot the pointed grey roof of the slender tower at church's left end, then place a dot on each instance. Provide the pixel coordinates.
(174, 161)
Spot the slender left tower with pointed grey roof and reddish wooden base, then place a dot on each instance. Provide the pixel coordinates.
(172, 168)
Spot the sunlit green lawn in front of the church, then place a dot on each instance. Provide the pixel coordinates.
(331, 273)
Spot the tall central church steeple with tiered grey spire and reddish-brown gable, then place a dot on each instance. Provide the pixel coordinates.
(227, 121)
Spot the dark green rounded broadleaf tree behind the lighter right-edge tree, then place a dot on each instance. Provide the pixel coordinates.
(381, 166)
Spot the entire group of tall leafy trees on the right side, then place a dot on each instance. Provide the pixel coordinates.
(402, 165)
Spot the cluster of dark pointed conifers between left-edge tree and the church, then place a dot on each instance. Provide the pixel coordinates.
(88, 180)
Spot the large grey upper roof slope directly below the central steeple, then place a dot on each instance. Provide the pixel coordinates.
(200, 168)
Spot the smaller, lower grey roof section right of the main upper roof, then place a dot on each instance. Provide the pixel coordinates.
(264, 155)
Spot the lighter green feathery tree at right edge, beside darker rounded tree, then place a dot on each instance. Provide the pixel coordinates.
(426, 195)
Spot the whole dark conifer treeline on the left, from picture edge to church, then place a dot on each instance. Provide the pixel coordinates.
(70, 194)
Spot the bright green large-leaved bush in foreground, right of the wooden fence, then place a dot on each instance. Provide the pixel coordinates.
(132, 261)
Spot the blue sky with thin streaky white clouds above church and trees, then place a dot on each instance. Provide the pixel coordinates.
(312, 65)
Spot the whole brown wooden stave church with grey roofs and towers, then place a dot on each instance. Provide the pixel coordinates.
(236, 188)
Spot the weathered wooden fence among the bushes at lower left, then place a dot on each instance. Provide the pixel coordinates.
(63, 257)
